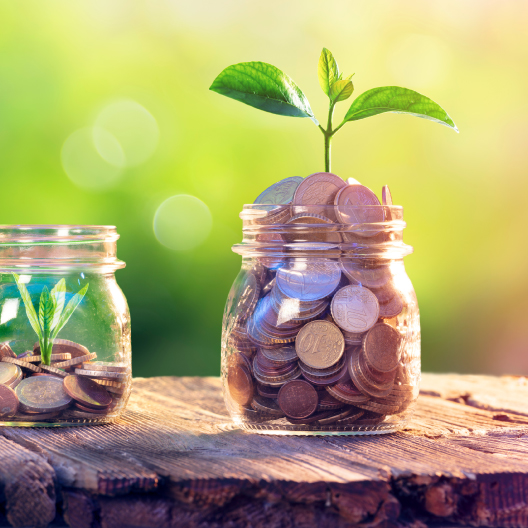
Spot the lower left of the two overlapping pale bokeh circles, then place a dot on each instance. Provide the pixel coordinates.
(84, 165)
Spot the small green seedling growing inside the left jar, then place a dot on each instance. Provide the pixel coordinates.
(52, 314)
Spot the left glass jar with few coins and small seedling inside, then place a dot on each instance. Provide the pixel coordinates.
(65, 354)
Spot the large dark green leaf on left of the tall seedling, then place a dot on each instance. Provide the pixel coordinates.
(265, 87)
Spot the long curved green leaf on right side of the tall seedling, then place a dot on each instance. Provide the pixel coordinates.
(398, 100)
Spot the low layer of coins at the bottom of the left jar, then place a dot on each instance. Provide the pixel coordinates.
(75, 386)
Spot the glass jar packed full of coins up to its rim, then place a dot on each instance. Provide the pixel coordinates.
(321, 332)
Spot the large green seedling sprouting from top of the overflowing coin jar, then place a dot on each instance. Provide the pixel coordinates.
(267, 88)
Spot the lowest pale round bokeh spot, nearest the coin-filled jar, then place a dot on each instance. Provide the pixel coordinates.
(182, 222)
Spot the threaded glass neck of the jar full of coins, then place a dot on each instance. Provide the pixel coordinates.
(323, 231)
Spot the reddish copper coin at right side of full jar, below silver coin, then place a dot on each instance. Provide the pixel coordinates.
(381, 347)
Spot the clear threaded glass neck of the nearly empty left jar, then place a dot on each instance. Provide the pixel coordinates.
(59, 247)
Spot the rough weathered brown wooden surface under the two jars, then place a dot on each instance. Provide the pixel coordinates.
(173, 460)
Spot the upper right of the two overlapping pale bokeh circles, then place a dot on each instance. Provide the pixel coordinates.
(135, 129)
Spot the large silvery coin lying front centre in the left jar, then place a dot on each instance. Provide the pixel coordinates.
(42, 394)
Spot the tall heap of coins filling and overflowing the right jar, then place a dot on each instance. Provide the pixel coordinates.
(315, 342)
